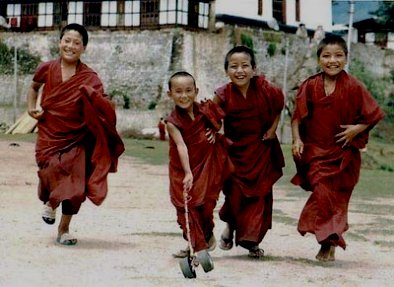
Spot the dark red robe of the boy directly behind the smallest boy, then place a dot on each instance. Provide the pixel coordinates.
(258, 164)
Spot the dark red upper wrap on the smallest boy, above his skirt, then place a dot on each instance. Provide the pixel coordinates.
(209, 162)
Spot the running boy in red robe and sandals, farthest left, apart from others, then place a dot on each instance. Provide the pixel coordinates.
(77, 143)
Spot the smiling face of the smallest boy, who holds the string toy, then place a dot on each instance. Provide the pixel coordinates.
(183, 92)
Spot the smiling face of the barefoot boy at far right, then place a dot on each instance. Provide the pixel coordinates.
(332, 60)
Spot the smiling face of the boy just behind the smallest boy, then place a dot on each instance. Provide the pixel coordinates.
(240, 70)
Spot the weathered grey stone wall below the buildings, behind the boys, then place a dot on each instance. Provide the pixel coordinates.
(137, 64)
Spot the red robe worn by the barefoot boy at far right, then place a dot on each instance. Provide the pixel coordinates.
(326, 168)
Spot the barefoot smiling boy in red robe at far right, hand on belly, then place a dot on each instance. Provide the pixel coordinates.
(333, 116)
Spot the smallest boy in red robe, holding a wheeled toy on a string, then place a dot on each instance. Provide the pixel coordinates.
(199, 161)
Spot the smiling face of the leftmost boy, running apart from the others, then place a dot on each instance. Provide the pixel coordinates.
(71, 46)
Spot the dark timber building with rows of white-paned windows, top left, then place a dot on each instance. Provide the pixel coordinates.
(25, 16)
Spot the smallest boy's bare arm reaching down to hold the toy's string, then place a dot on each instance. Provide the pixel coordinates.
(175, 134)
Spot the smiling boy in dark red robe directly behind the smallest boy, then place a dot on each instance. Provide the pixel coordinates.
(252, 107)
